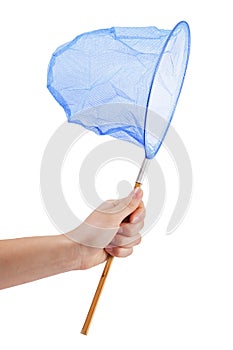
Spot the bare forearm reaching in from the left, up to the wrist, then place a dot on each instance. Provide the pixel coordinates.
(28, 259)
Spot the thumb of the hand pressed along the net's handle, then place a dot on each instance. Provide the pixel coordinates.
(128, 205)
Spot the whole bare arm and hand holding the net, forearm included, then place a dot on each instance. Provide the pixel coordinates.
(28, 259)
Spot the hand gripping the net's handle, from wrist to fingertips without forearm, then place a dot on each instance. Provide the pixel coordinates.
(103, 232)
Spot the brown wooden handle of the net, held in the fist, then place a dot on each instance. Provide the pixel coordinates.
(100, 286)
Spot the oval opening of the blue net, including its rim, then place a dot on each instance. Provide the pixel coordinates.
(166, 87)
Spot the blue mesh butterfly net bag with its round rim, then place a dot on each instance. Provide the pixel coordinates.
(123, 82)
